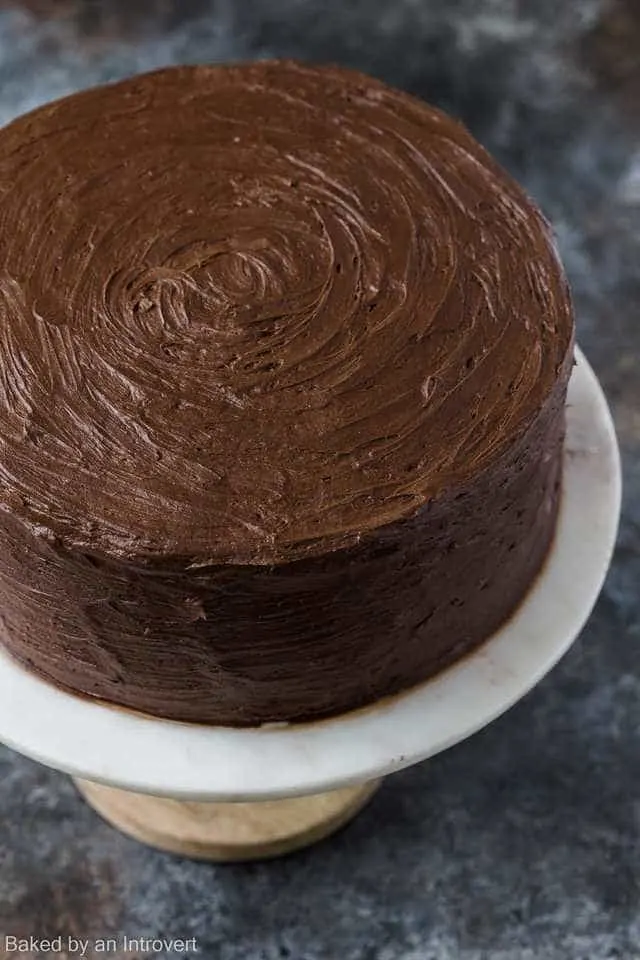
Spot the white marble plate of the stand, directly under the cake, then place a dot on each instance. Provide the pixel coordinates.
(113, 746)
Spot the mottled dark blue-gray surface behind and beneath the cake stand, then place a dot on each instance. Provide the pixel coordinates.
(524, 842)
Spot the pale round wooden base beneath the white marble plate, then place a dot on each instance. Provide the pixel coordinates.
(227, 832)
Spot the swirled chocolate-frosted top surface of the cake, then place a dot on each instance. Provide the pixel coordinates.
(250, 312)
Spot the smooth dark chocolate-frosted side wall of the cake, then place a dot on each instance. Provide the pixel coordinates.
(300, 641)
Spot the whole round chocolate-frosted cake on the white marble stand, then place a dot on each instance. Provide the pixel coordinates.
(283, 365)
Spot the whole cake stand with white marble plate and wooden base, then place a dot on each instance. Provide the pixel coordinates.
(225, 794)
